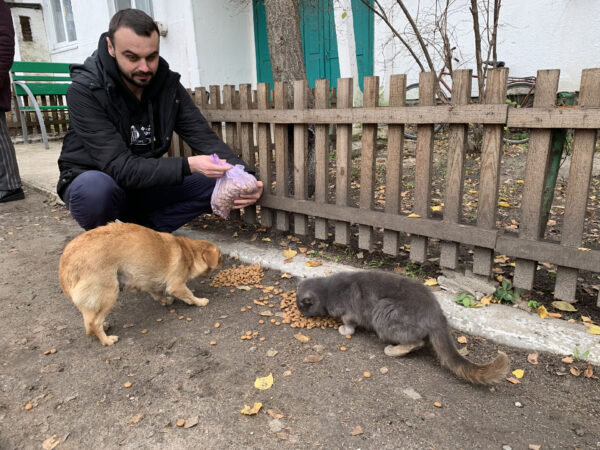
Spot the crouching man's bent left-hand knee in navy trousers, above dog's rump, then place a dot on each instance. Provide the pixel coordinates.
(94, 199)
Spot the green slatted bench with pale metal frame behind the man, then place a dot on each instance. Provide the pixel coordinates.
(39, 78)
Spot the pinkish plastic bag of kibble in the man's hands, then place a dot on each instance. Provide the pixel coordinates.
(234, 182)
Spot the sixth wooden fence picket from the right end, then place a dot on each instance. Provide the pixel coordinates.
(395, 156)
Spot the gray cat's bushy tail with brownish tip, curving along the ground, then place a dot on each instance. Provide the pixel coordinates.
(489, 373)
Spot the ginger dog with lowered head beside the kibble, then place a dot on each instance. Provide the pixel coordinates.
(99, 262)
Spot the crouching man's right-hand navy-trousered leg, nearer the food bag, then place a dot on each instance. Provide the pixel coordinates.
(170, 207)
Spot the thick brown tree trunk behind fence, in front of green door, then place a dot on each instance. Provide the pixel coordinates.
(287, 64)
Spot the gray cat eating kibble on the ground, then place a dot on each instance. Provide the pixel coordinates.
(401, 311)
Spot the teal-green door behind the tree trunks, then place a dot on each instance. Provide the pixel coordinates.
(319, 43)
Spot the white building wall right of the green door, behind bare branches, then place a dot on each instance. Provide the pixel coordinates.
(533, 35)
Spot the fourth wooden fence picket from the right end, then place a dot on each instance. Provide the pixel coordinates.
(457, 141)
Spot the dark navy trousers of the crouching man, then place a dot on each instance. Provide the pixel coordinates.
(94, 199)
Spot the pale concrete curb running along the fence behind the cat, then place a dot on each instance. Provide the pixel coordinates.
(502, 324)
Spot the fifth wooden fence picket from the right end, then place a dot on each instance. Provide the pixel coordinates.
(423, 165)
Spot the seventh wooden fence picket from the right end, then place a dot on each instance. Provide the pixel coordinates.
(367, 161)
